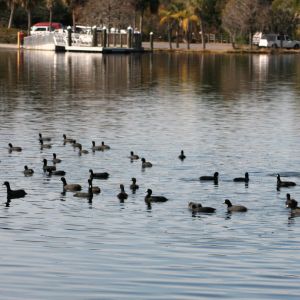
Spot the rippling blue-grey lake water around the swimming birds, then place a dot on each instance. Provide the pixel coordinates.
(229, 113)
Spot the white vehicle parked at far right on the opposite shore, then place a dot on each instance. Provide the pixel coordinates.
(278, 41)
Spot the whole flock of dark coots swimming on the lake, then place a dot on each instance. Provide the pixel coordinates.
(149, 198)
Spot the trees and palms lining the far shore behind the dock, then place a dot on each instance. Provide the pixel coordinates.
(172, 20)
